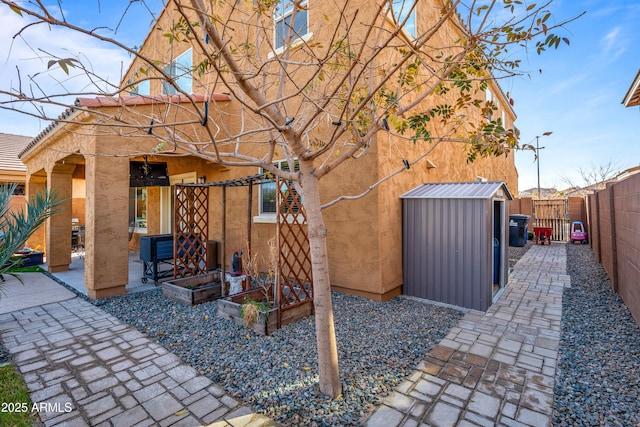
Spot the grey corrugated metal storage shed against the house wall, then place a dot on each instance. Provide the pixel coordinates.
(455, 242)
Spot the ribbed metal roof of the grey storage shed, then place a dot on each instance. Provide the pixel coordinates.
(457, 190)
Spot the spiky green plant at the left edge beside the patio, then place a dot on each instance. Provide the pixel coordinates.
(17, 226)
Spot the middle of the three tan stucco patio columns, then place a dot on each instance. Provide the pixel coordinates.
(58, 234)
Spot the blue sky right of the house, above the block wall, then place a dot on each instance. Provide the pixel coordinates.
(578, 95)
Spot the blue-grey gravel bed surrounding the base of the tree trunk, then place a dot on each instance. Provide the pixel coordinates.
(379, 344)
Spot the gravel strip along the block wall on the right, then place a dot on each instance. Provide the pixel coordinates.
(598, 377)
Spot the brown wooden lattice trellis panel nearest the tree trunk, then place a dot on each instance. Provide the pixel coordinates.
(294, 261)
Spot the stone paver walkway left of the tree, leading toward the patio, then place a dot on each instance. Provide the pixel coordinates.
(83, 367)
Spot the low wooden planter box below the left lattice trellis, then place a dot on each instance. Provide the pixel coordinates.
(194, 290)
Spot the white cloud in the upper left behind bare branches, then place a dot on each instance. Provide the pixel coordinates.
(24, 56)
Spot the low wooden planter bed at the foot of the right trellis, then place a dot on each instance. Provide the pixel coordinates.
(267, 322)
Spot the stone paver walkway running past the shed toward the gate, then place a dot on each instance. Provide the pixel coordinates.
(494, 368)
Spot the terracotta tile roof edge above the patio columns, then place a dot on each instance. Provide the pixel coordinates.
(81, 104)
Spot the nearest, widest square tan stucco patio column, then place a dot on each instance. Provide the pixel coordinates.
(106, 240)
